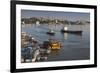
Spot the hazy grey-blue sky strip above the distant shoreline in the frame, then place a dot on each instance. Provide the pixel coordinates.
(72, 16)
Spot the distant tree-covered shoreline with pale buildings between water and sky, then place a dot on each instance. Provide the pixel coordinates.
(43, 20)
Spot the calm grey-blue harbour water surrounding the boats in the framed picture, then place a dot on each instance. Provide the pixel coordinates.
(75, 47)
